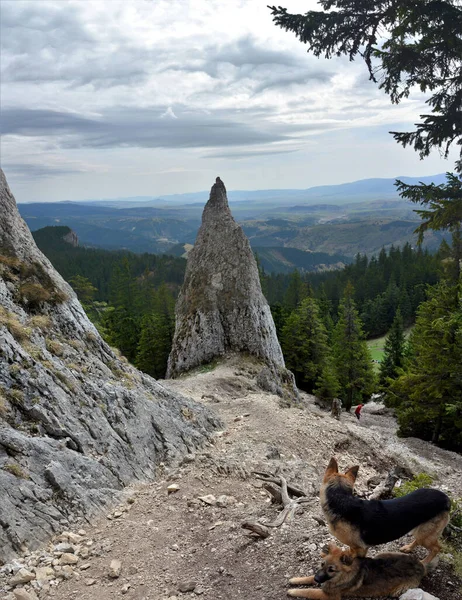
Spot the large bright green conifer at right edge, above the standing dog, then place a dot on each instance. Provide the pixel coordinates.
(428, 395)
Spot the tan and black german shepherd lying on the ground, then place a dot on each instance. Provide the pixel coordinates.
(342, 574)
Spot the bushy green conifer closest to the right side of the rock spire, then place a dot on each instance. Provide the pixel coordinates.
(304, 344)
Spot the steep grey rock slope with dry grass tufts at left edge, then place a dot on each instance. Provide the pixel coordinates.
(77, 422)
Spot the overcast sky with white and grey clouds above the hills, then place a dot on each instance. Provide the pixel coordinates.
(109, 98)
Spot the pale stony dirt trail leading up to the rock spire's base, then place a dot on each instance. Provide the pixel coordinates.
(172, 542)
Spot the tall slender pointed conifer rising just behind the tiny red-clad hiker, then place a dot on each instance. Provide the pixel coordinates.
(351, 354)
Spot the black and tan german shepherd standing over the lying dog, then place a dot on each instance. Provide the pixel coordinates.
(362, 523)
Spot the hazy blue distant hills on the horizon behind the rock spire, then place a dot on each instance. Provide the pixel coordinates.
(341, 220)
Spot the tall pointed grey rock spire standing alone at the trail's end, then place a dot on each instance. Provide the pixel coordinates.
(221, 308)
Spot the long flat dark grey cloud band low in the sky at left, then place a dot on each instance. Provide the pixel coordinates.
(123, 127)
